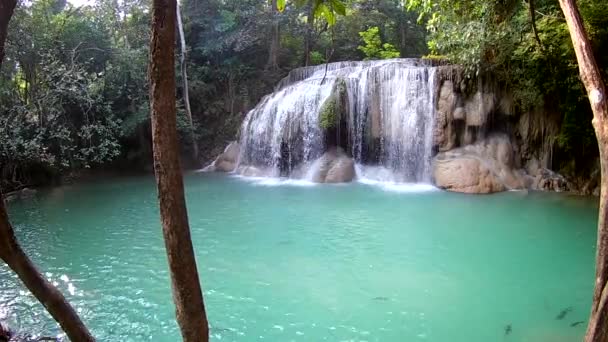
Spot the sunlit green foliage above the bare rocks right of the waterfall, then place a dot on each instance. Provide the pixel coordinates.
(497, 38)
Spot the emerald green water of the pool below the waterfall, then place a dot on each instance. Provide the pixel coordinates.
(313, 263)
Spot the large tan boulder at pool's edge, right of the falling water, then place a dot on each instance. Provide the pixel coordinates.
(485, 167)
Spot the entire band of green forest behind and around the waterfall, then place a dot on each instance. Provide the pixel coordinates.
(73, 88)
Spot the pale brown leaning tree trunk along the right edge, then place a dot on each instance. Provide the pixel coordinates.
(597, 329)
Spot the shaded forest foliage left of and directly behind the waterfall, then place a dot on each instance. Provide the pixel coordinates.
(73, 87)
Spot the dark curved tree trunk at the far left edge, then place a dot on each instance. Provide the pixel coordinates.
(12, 254)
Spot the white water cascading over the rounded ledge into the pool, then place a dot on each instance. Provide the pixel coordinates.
(385, 123)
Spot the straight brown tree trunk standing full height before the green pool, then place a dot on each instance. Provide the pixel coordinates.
(187, 295)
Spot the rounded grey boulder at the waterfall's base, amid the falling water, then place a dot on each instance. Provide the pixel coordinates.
(334, 166)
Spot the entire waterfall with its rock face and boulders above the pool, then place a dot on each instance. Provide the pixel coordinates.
(398, 120)
